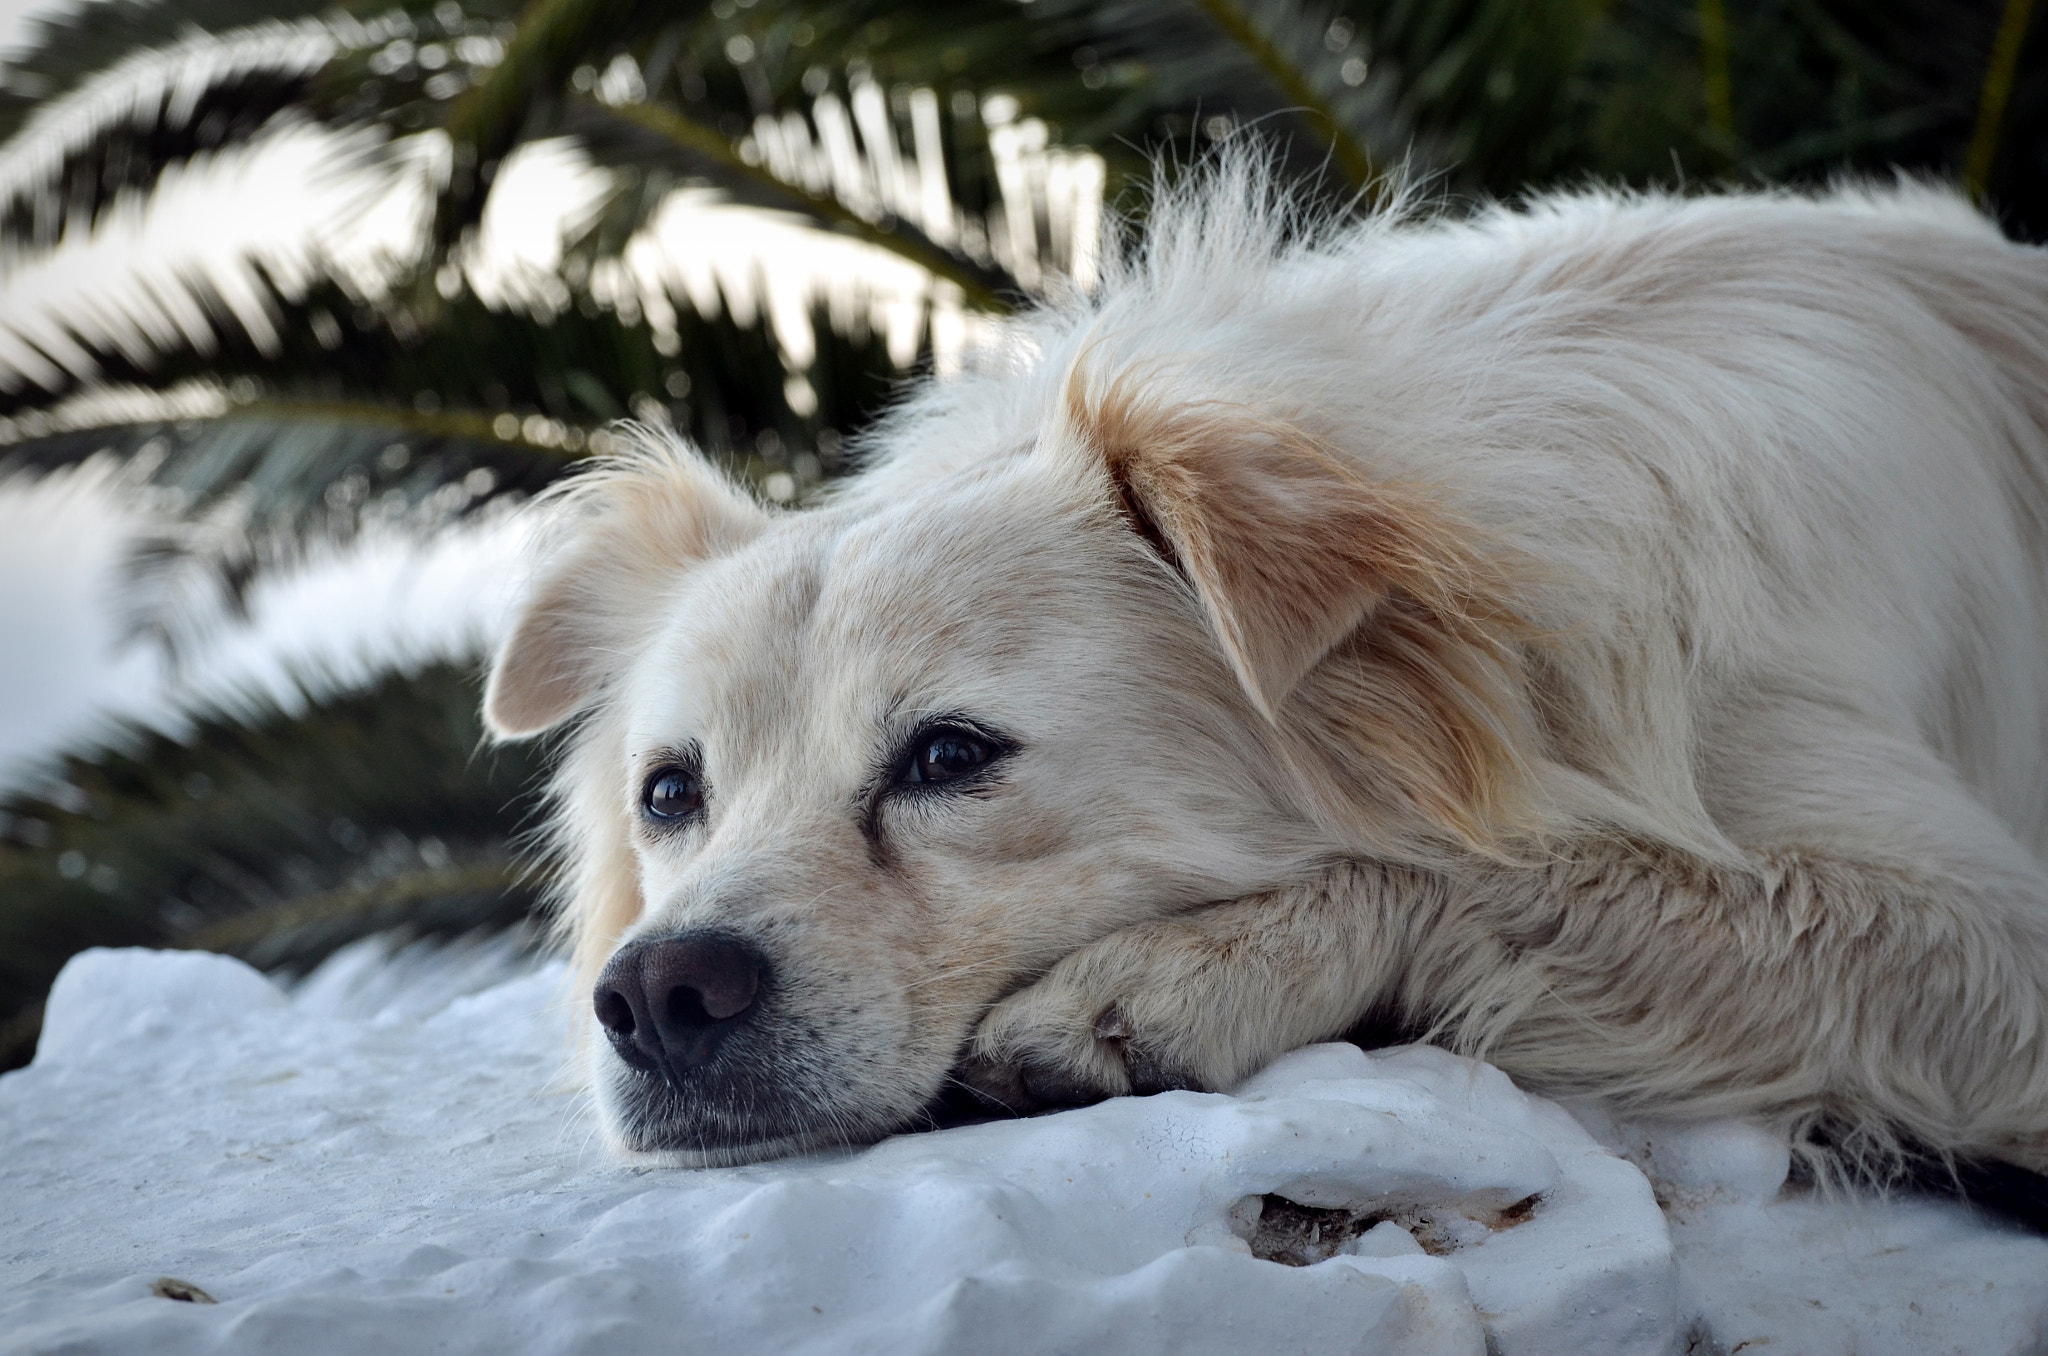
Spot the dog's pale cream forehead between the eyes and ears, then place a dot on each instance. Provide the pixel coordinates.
(839, 618)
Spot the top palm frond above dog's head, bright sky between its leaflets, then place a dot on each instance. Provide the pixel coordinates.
(738, 101)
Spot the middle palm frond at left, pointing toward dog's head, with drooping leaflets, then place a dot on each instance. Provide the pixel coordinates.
(421, 415)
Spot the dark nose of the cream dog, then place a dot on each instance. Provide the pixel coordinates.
(667, 1005)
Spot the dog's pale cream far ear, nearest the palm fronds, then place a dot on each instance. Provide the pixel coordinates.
(620, 540)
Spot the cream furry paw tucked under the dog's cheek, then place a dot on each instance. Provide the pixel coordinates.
(1109, 1021)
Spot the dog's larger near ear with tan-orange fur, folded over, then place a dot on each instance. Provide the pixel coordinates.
(1363, 620)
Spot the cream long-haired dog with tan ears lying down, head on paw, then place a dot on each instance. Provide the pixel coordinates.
(1607, 636)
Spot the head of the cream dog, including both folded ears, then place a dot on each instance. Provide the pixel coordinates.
(841, 779)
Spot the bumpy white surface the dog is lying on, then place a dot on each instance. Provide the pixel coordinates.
(392, 1158)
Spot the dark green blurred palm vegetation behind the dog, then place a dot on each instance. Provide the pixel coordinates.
(282, 835)
